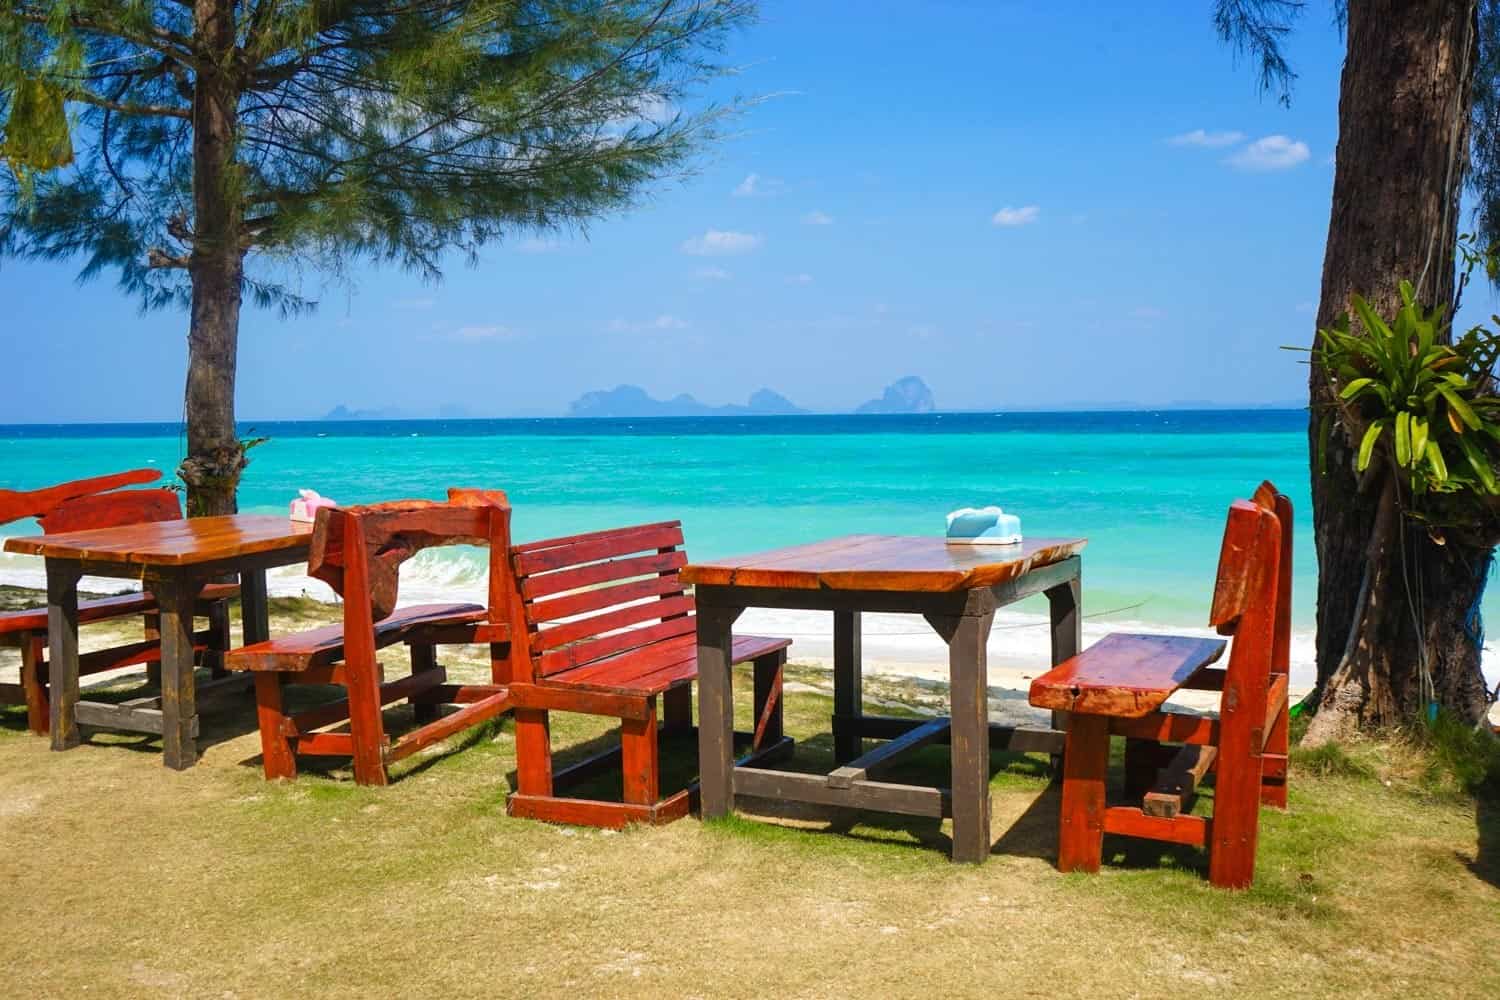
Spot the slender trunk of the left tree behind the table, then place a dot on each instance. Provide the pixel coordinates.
(215, 458)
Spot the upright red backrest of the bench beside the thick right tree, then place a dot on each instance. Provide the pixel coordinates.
(1252, 603)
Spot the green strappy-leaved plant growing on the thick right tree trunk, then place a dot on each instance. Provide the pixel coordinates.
(1424, 406)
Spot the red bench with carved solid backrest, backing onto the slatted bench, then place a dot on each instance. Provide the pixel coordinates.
(359, 551)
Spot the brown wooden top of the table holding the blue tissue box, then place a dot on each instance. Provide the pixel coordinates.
(886, 563)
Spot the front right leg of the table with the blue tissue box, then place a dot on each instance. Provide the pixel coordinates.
(968, 671)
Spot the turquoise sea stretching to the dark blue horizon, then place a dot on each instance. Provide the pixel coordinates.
(1148, 490)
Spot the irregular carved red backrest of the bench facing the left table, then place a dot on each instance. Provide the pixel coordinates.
(358, 551)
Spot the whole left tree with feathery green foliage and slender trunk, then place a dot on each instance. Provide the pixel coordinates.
(211, 149)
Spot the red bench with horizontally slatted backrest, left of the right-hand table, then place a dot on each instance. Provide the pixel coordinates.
(608, 630)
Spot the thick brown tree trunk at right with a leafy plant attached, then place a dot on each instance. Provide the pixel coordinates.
(1393, 603)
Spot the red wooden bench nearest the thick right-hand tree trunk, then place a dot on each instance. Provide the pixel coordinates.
(1120, 684)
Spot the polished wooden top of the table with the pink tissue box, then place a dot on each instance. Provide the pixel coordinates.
(172, 543)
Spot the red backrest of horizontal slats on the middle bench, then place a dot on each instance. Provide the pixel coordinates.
(602, 594)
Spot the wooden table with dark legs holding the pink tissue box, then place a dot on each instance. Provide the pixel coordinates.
(173, 560)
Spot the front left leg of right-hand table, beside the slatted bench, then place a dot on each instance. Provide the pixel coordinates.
(716, 710)
